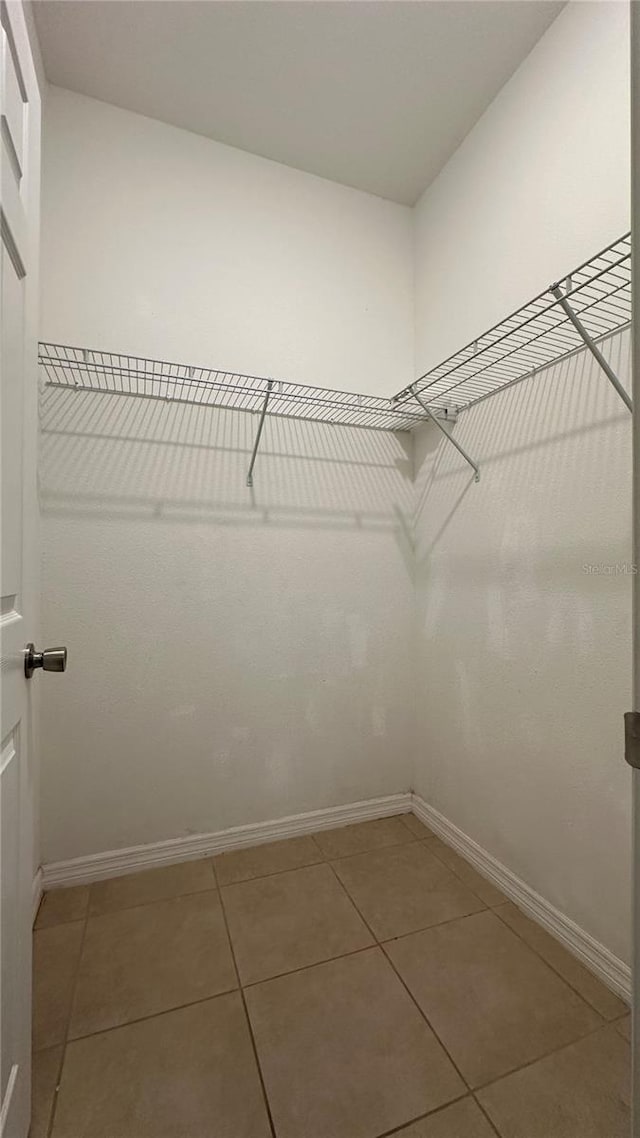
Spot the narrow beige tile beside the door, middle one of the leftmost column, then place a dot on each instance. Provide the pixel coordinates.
(56, 953)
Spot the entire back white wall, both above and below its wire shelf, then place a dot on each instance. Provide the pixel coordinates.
(234, 657)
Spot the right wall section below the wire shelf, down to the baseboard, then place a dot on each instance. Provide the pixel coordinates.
(524, 634)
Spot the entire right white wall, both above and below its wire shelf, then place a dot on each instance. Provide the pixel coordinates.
(526, 662)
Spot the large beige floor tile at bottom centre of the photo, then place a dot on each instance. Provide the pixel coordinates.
(344, 1051)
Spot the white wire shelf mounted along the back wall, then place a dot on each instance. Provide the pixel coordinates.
(85, 369)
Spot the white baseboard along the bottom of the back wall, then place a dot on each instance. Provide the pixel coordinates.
(113, 863)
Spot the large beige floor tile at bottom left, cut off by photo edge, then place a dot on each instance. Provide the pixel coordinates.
(188, 1074)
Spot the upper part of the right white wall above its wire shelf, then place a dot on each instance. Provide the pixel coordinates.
(538, 187)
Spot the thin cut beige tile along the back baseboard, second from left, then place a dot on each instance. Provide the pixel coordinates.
(151, 886)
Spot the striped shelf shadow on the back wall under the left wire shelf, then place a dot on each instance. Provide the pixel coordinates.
(129, 458)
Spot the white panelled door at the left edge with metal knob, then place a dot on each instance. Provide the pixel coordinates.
(20, 193)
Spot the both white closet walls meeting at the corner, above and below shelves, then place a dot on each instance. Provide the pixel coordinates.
(260, 653)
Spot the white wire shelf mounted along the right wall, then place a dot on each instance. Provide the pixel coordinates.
(536, 336)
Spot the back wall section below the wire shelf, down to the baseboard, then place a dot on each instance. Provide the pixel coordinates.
(234, 656)
